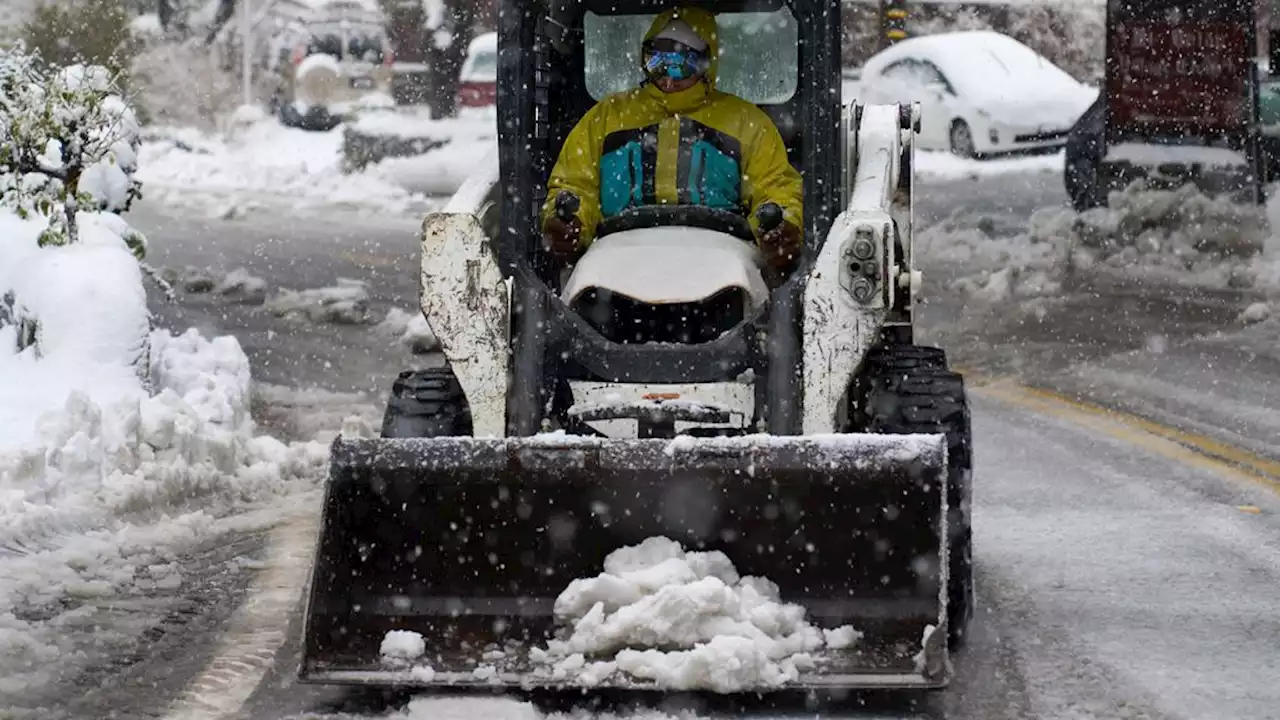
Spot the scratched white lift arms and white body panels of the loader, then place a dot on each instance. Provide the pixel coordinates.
(865, 263)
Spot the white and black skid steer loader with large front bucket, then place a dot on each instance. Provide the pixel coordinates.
(664, 389)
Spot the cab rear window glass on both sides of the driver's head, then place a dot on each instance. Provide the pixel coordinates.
(758, 54)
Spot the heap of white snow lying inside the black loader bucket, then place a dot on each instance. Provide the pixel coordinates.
(661, 616)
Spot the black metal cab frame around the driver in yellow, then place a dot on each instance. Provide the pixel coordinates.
(542, 95)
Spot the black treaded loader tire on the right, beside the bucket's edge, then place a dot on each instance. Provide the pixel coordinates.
(909, 390)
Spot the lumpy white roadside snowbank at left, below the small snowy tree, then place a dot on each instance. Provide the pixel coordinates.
(122, 450)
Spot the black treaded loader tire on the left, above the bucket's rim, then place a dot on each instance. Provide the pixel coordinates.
(427, 404)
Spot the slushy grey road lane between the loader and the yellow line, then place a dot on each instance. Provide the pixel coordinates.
(1119, 576)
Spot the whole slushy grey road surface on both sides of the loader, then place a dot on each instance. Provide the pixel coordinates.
(1119, 575)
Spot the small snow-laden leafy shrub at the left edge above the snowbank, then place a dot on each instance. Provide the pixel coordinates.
(68, 143)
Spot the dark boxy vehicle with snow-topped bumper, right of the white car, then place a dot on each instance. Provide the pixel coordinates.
(1181, 104)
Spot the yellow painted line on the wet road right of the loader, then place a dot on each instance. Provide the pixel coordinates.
(1180, 445)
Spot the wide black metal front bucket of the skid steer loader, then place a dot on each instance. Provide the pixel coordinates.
(470, 541)
